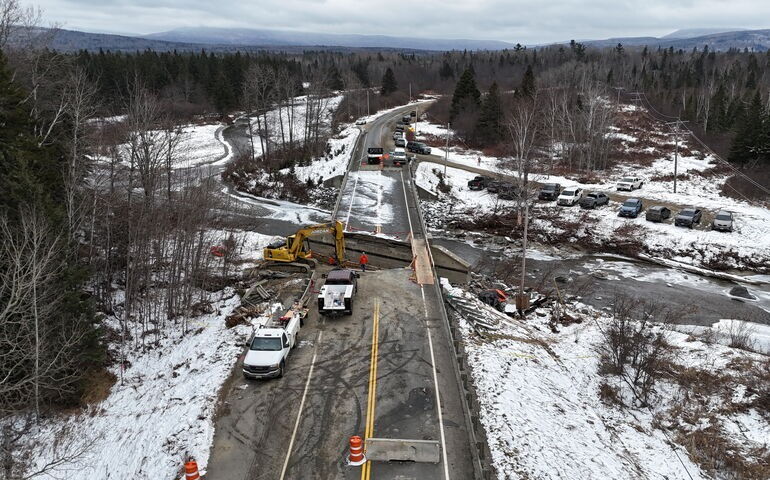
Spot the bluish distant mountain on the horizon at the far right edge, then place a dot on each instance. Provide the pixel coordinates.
(756, 40)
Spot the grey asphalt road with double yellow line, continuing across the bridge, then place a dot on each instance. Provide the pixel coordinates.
(298, 427)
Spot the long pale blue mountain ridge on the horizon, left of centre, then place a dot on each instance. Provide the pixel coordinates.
(267, 37)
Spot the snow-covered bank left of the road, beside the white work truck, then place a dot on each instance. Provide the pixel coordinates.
(162, 412)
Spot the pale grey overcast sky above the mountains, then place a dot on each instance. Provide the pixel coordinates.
(527, 22)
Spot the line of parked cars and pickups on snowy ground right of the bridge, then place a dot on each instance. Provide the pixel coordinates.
(631, 208)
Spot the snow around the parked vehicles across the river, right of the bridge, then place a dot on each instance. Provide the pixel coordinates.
(749, 241)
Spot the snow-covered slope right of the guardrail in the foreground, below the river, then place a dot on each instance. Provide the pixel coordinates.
(544, 418)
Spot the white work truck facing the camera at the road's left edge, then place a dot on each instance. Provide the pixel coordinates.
(270, 346)
